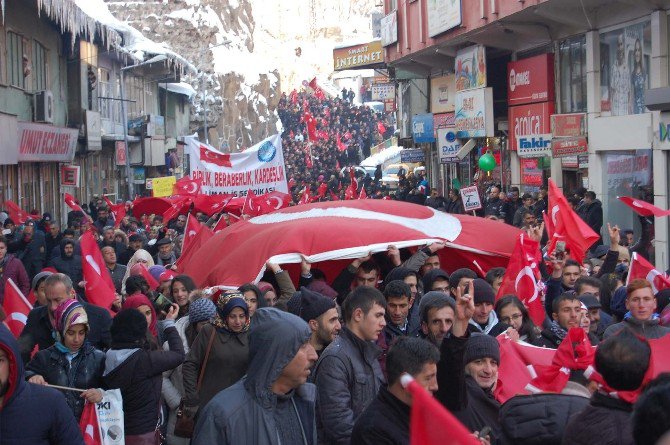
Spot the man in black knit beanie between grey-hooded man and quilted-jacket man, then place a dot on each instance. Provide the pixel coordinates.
(320, 313)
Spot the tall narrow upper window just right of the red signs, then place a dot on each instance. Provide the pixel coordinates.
(572, 53)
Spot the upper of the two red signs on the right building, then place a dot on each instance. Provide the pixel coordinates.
(531, 80)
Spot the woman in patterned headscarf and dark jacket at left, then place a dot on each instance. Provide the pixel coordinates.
(71, 362)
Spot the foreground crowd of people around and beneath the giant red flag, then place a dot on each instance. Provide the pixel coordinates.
(322, 362)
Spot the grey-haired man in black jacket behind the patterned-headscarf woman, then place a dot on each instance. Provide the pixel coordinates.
(39, 327)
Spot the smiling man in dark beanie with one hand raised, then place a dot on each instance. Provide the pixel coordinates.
(467, 372)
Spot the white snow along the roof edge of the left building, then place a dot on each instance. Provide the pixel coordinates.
(135, 44)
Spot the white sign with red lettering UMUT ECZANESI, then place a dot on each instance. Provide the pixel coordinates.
(45, 143)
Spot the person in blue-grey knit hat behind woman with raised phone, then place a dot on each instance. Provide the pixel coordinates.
(200, 312)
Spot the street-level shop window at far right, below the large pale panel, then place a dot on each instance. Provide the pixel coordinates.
(626, 174)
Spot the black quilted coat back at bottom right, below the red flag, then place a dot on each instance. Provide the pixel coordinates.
(538, 419)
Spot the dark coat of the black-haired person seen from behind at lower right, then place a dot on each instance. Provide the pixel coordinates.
(604, 421)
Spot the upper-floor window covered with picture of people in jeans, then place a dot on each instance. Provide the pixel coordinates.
(625, 54)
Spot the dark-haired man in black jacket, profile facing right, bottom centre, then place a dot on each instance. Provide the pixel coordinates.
(386, 420)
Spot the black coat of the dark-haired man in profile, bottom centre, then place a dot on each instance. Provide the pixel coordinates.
(384, 422)
